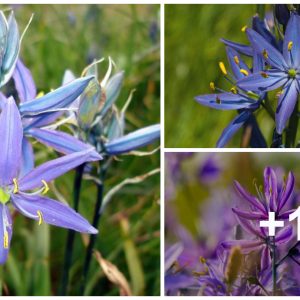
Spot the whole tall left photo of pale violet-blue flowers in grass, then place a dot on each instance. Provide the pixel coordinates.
(80, 150)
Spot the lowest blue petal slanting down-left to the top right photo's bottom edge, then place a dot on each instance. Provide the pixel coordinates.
(232, 128)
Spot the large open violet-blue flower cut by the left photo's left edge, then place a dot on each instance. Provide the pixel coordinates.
(27, 192)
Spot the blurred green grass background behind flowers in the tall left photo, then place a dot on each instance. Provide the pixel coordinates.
(64, 37)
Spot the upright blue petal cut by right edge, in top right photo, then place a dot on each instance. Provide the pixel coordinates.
(292, 34)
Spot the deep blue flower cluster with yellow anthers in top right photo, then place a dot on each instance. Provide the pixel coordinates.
(275, 66)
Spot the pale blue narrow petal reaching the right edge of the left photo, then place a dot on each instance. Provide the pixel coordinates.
(133, 140)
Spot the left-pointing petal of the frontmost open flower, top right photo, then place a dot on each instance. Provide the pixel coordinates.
(258, 82)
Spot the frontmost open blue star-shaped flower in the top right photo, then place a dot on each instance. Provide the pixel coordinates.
(283, 70)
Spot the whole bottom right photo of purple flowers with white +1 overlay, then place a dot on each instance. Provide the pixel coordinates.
(231, 224)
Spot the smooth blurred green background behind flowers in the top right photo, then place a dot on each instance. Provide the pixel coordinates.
(192, 52)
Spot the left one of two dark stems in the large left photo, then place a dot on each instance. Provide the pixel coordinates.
(71, 233)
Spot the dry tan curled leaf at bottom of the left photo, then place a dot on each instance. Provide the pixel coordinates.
(113, 274)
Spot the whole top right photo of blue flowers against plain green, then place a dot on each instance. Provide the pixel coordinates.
(232, 76)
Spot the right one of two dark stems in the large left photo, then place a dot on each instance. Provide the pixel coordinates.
(96, 219)
